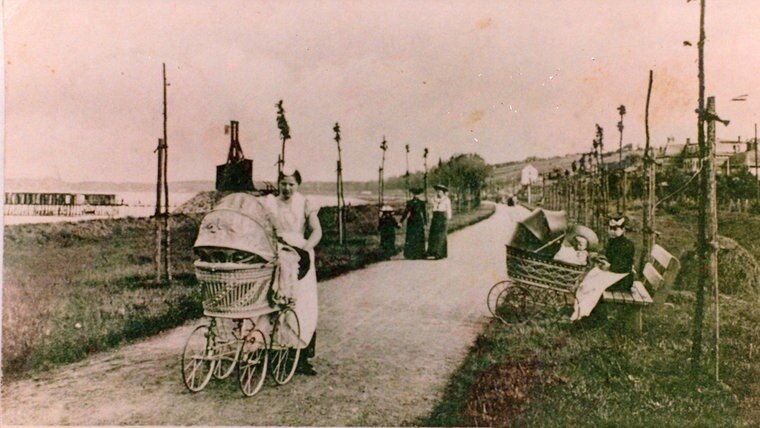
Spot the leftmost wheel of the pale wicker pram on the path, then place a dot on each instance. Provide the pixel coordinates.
(198, 359)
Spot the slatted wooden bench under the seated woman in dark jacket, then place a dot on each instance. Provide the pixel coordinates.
(658, 275)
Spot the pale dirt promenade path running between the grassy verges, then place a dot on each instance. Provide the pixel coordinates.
(389, 337)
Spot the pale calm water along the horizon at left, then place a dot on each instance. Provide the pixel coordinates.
(142, 204)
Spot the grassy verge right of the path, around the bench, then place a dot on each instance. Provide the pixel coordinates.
(596, 373)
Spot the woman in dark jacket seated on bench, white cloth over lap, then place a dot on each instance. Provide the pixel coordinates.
(615, 273)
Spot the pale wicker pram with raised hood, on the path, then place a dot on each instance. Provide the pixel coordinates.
(249, 320)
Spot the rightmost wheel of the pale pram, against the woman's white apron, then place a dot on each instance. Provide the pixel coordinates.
(284, 348)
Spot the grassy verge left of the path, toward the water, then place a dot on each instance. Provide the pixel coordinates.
(71, 289)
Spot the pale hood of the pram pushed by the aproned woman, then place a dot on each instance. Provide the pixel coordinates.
(240, 221)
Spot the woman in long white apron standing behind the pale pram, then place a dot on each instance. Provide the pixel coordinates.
(295, 217)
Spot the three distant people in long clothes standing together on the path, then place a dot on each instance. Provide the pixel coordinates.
(415, 216)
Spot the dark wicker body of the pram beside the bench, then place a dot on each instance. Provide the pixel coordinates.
(538, 270)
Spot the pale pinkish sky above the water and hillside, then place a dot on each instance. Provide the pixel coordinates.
(504, 79)
